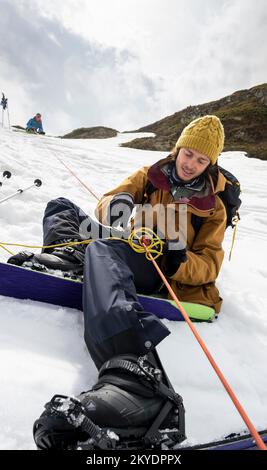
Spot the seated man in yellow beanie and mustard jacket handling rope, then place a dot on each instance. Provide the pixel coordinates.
(117, 330)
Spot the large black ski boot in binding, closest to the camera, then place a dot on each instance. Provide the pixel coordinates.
(132, 406)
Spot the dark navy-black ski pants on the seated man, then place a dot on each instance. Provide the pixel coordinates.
(114, 320)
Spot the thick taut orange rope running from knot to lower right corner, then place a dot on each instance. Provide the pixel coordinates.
(219, 373)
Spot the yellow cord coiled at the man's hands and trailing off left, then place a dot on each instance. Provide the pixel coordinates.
(135, 241)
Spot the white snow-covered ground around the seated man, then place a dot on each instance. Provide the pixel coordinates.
(41, 346)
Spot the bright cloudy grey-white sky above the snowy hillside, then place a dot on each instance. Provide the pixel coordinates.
(126, 63)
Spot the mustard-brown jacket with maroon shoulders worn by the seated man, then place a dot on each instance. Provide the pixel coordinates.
(195, 279)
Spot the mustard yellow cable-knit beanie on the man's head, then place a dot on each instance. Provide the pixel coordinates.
(205, 134)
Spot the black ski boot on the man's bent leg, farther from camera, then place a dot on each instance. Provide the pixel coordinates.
(65, 258)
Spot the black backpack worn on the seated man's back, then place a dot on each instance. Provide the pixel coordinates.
(230, 198)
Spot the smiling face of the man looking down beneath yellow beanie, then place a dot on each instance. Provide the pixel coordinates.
(190, 163)
